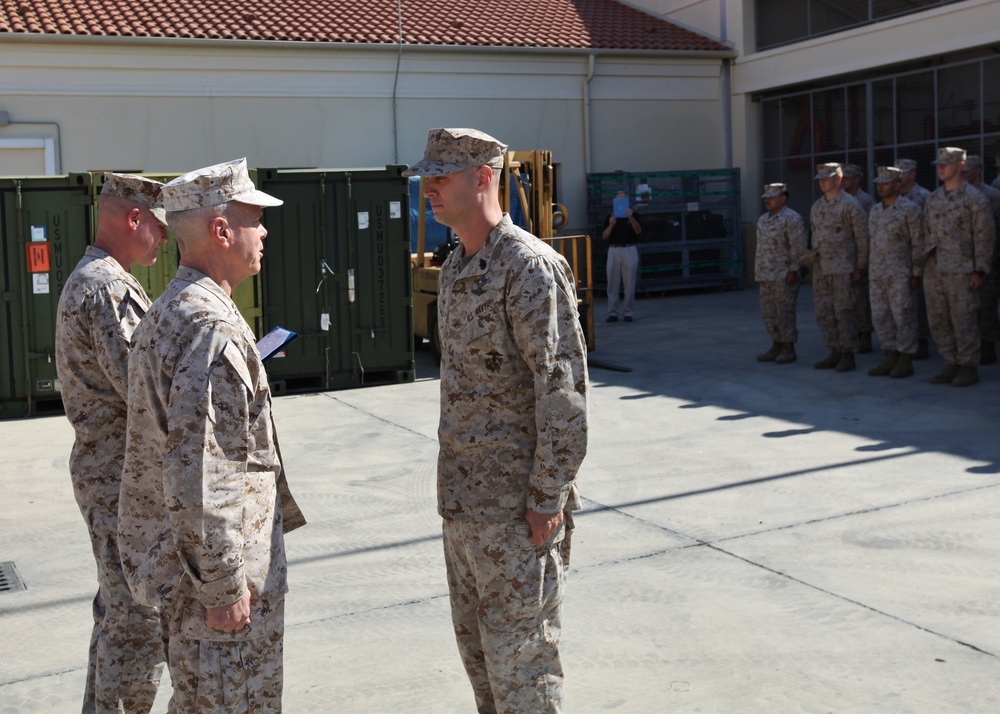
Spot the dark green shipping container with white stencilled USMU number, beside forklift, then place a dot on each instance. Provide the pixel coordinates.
(336, 270)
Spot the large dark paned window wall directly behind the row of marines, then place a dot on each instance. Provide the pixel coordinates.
(901, 115)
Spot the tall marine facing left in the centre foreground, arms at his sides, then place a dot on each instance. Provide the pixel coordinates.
(513, 429)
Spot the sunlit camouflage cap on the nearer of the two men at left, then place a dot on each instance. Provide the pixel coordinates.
(213, 185)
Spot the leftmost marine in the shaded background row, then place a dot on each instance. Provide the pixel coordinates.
(781, 242)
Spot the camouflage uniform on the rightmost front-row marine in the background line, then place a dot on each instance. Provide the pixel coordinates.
(960, 229)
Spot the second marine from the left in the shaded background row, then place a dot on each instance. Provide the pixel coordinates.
(838, 257)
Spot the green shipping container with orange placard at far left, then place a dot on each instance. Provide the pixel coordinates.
(46, 225)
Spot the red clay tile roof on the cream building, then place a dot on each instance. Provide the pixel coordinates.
(580, 24)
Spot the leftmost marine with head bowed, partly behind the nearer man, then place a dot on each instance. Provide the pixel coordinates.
(99, 308)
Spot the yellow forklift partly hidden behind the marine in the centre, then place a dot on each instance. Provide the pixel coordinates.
(530, 175)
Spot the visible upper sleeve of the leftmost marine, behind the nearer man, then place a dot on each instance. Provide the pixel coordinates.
(113, 317)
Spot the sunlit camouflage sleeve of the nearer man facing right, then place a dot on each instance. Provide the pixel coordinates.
(205, 463)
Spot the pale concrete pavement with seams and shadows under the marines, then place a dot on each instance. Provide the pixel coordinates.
(757, 538)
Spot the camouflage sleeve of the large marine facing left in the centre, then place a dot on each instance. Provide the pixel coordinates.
(546, 329)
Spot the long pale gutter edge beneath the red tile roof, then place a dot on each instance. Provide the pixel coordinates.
(44, 38)
